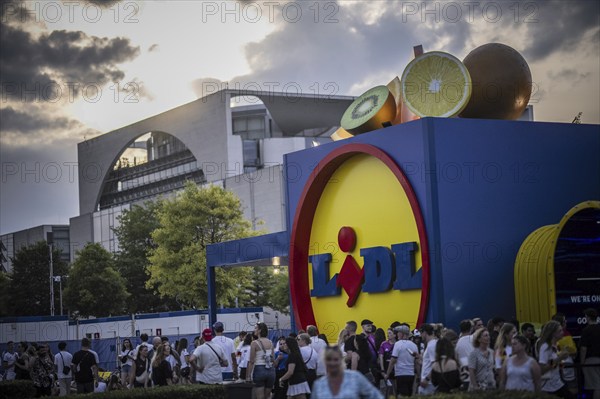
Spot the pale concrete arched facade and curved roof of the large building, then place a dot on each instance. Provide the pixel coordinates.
(204, 127)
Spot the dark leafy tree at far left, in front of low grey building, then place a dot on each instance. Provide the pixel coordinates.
(30, 281)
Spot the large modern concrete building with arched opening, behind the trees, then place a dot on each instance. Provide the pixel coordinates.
(208, 141)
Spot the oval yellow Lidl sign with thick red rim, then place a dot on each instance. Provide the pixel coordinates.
(358, 245)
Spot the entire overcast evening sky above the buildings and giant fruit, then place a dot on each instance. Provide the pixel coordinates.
(73, 70)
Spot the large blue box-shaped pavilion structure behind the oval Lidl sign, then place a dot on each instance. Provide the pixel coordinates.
(483, 186)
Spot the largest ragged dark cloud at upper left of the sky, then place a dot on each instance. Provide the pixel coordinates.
(58, 63)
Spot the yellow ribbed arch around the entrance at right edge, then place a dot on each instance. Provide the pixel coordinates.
(534, 269)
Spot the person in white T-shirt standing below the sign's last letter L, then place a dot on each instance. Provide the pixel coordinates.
(403, 361)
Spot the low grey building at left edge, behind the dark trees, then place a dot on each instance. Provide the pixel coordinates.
(11, 243)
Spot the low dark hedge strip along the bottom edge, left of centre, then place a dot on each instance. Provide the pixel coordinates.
(175, 391)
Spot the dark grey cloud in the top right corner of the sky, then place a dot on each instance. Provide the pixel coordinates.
(561, 26)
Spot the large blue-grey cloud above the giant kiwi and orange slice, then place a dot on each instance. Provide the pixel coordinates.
(342, 47)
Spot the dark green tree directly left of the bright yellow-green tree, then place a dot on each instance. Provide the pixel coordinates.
(135, 242)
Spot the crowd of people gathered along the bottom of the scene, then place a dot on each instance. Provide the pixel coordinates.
(368, 364)
